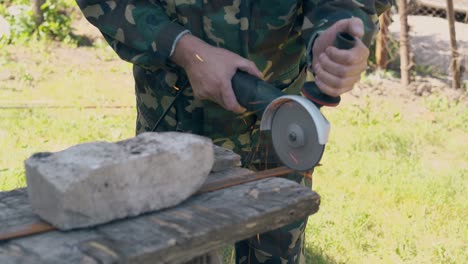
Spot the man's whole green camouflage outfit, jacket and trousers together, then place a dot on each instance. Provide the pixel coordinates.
(276, 34)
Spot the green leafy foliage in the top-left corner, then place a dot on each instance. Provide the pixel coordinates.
(56, 25)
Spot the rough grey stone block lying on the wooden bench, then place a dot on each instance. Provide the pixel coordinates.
(97, 182)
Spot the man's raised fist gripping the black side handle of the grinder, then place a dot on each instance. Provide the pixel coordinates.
(336, 71)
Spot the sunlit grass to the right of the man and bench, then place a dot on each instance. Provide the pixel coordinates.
(393, 187)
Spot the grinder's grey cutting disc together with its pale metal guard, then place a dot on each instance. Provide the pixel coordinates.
(299, 131)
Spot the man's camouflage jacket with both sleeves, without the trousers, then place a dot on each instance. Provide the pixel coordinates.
(272, 33)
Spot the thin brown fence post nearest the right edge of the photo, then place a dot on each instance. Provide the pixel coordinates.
(456, 76)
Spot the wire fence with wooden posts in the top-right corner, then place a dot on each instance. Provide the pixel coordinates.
(428, 37)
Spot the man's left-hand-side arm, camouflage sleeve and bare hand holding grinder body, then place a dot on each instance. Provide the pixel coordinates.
(141, 32)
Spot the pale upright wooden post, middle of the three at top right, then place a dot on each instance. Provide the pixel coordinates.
(404, 43)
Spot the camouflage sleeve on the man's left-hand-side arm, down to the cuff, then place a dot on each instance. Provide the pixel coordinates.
(139, 31)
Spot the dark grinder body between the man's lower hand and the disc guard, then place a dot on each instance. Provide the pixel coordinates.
(253, 93)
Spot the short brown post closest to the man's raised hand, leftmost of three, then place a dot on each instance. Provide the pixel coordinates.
(381, 47)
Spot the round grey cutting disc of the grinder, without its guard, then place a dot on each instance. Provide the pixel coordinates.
(295, 137)
